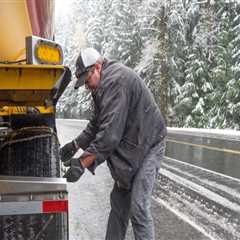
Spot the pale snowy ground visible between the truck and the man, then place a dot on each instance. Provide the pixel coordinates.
(89, 197)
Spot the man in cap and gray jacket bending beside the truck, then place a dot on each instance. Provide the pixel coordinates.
(127, 130)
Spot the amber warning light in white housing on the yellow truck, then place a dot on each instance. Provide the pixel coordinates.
(43, 51)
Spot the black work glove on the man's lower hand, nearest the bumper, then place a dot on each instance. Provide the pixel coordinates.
(75, 171)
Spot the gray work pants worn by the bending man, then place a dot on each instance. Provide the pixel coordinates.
(135, 204)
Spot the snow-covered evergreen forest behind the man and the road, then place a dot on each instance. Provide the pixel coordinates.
(186, 51)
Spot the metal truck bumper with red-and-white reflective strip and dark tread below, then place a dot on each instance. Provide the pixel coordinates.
(33, 208)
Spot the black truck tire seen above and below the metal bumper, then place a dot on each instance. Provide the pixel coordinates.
(31, 151)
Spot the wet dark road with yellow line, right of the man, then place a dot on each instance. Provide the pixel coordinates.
(216, 150)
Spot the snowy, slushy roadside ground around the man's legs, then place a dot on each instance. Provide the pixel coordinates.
(189, 202)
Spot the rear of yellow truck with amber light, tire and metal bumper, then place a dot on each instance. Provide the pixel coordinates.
(33, 196)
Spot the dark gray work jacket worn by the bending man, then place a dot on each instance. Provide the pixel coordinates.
(125, 125)
